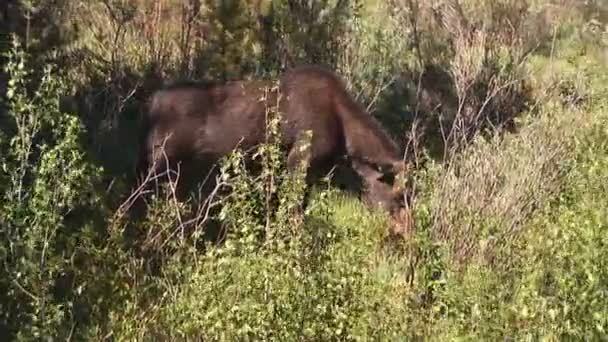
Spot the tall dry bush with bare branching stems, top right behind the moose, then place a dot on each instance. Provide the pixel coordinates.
(471, 64)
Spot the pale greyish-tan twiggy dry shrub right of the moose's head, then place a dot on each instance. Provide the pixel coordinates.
(483, 199)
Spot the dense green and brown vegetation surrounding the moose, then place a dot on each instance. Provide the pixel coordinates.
(502, 104)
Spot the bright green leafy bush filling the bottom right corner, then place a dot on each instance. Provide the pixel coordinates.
(547, 284)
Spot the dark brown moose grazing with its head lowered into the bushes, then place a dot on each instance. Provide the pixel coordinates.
(197, 123)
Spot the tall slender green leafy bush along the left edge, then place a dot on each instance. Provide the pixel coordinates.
(45, 178)
